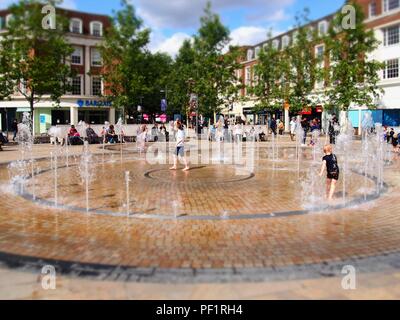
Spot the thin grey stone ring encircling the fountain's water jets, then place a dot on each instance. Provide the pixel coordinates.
(362, 199)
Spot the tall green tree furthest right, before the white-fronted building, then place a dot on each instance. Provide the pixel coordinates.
(353, 74)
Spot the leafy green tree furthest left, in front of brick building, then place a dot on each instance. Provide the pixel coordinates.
(33, 59)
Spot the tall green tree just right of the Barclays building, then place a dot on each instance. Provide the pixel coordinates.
(124, 52)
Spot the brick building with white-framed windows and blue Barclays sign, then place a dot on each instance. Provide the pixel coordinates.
(85, 103)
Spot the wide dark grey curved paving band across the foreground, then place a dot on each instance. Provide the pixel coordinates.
(367, 264)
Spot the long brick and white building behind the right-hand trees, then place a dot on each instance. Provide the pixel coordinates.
(383, 16)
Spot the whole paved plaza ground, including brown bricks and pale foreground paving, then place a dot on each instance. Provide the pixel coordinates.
(210, 233)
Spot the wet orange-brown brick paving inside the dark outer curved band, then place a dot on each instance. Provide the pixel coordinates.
(30, 230)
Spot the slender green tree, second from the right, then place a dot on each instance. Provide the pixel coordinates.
(303, 71)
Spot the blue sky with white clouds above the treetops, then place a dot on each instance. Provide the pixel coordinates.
(173, 21)
